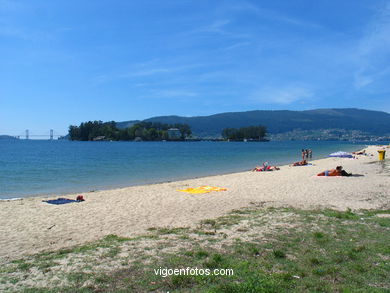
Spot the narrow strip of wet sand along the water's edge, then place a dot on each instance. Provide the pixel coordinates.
(124, 185)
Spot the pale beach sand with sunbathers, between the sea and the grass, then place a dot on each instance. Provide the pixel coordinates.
(29, 225)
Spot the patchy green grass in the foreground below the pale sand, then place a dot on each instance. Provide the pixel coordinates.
(325, 251)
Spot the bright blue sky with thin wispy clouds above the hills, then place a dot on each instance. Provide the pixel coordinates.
(64, 62)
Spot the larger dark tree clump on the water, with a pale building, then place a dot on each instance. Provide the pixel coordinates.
(149, 131)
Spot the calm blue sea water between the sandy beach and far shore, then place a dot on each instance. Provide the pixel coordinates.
(33, 167)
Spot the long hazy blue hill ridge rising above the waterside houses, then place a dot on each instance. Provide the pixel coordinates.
(281, 121)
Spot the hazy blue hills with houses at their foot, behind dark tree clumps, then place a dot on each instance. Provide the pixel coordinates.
(324, 124)
